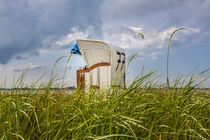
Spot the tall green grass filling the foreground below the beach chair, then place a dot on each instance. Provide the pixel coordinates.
(141, 111)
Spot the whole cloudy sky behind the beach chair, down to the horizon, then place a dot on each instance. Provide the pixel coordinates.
(35, 33)
